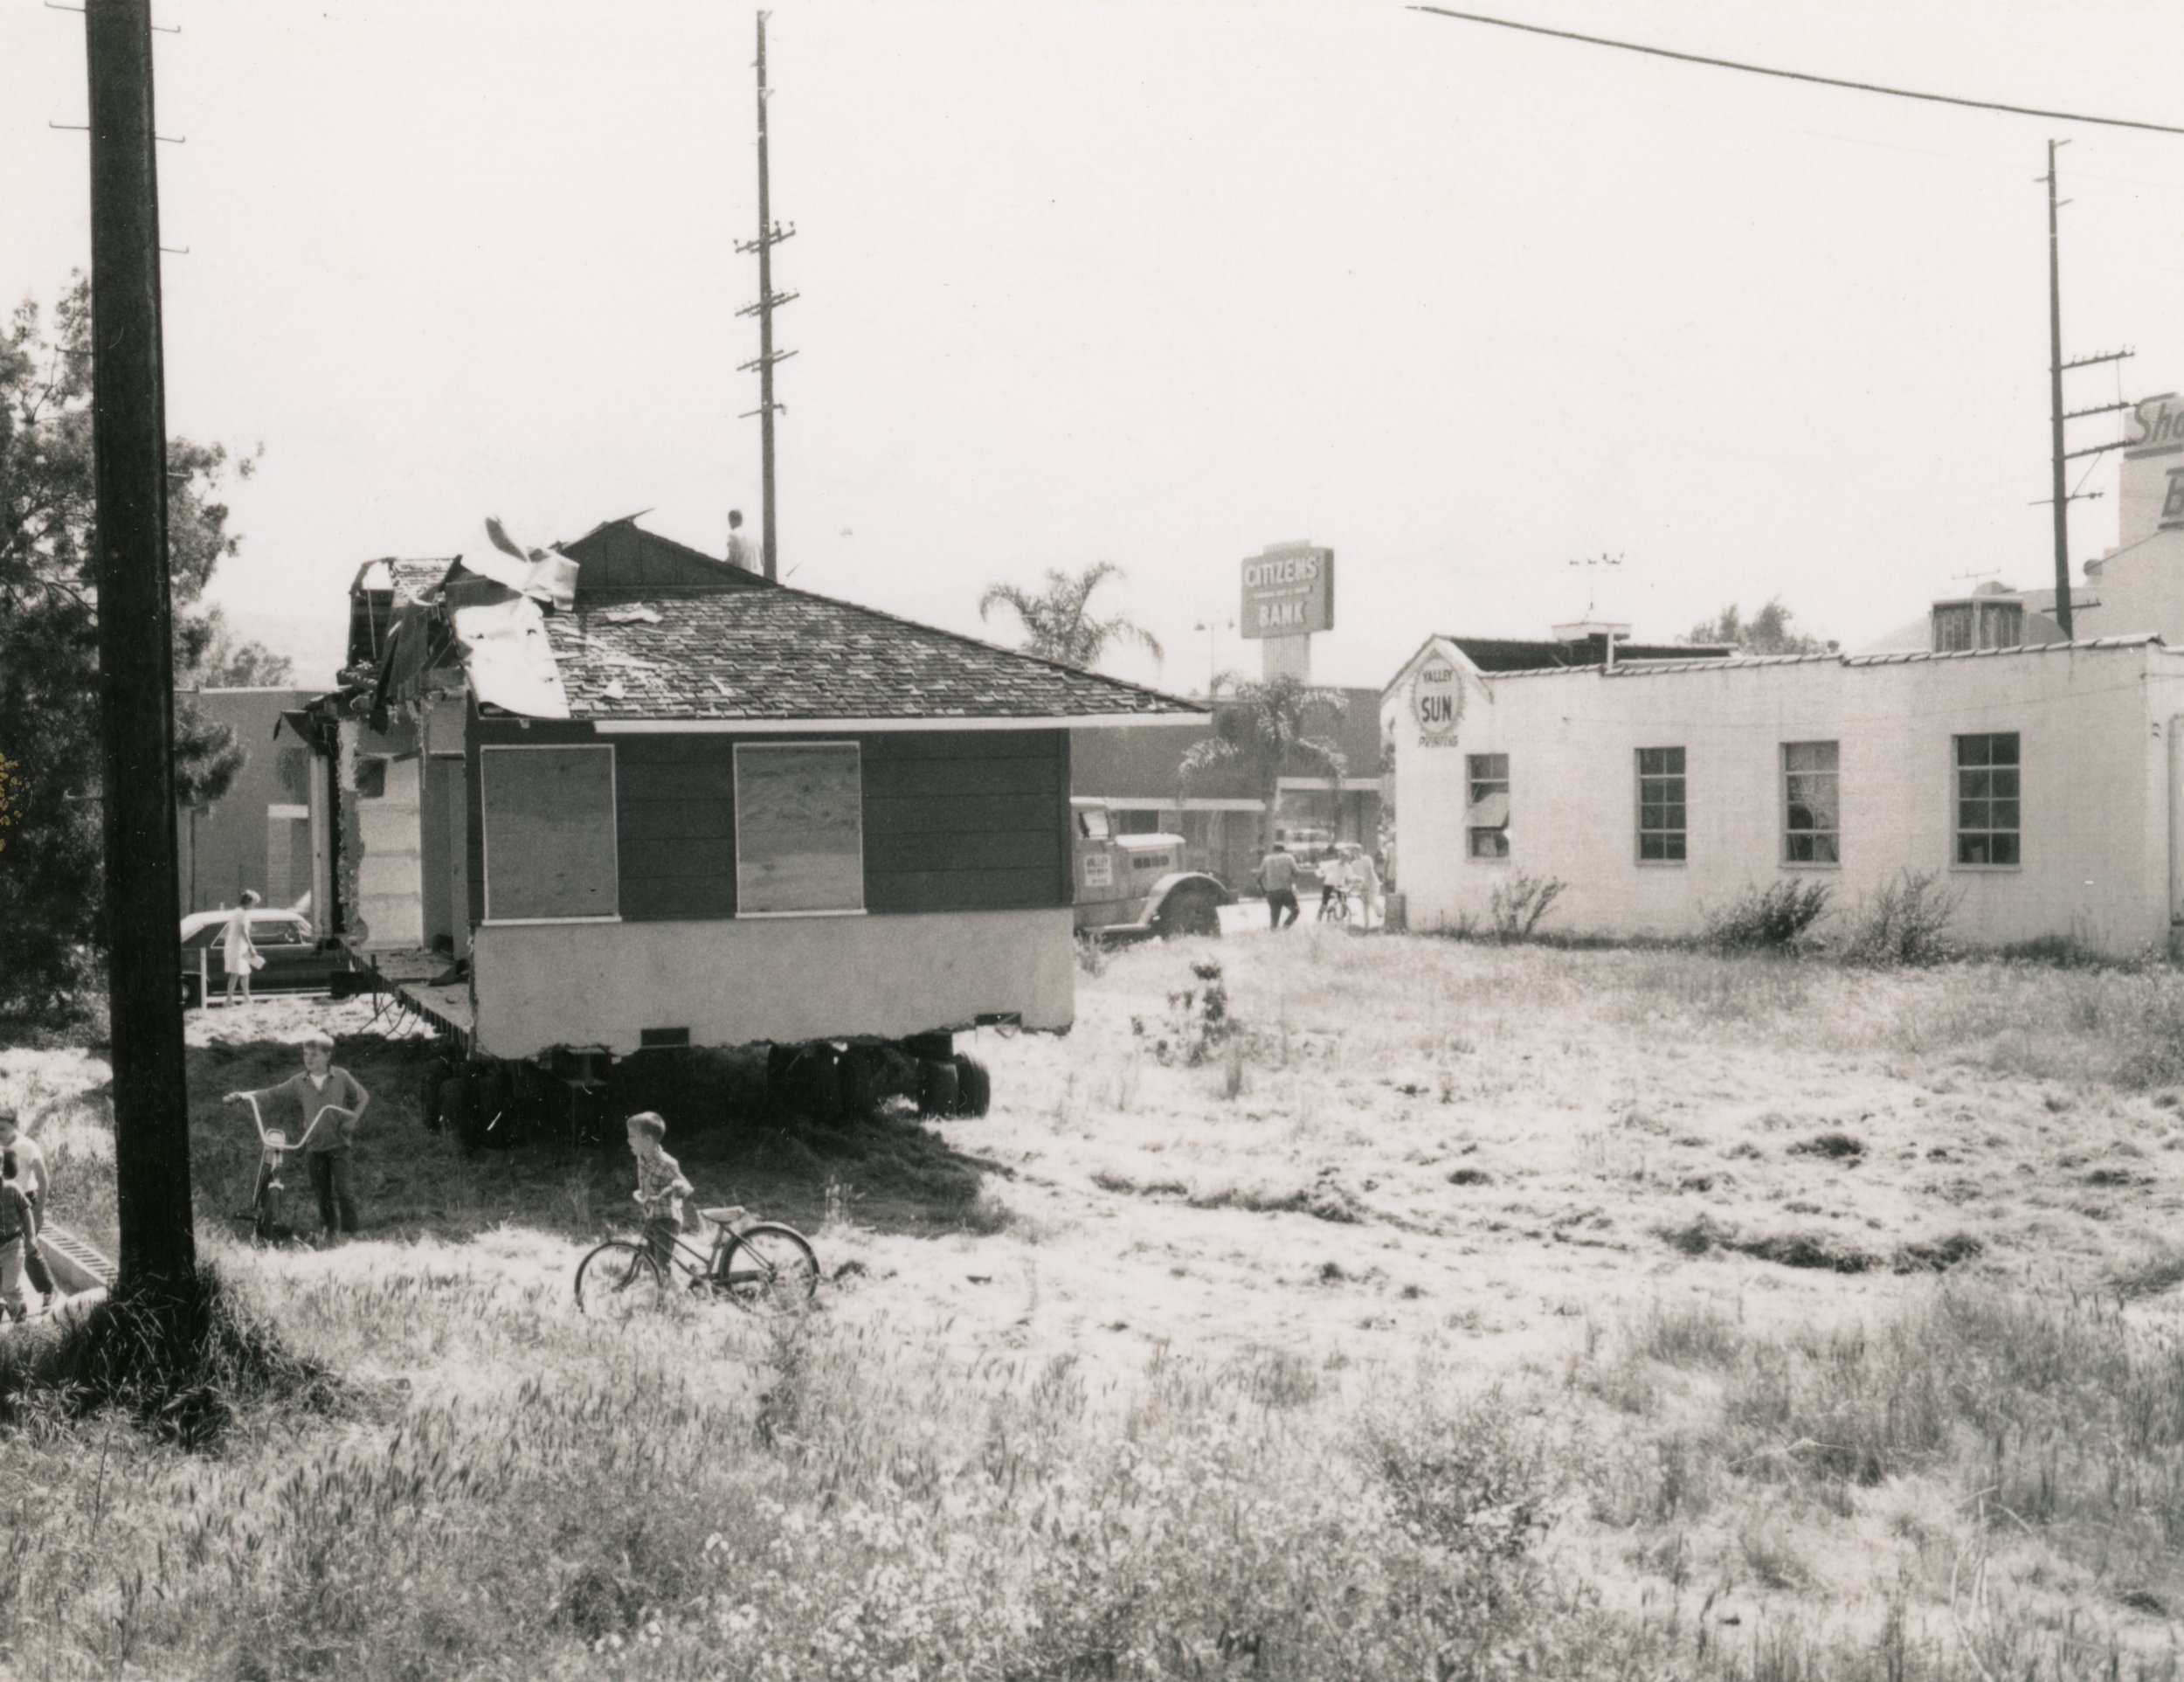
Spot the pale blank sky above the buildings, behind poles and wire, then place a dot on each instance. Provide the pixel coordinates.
(1154, 285)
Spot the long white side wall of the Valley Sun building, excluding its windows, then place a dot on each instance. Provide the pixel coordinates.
(2096, 820)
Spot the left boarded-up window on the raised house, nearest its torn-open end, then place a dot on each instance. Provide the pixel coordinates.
(549, 833)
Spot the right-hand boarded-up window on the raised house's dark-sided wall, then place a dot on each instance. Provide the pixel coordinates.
(800, 829)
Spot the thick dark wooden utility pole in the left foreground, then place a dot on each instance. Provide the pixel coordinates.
(136, 680)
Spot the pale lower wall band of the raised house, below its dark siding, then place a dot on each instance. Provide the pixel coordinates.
(746, 980)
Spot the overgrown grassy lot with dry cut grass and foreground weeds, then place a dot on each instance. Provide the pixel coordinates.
(1403, 1310)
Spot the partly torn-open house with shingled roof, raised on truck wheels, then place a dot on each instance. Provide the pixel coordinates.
(621, 796)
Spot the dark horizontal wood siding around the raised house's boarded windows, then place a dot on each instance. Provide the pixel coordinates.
(955, 820)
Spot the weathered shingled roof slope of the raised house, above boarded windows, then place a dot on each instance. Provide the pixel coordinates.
(781, 654)
